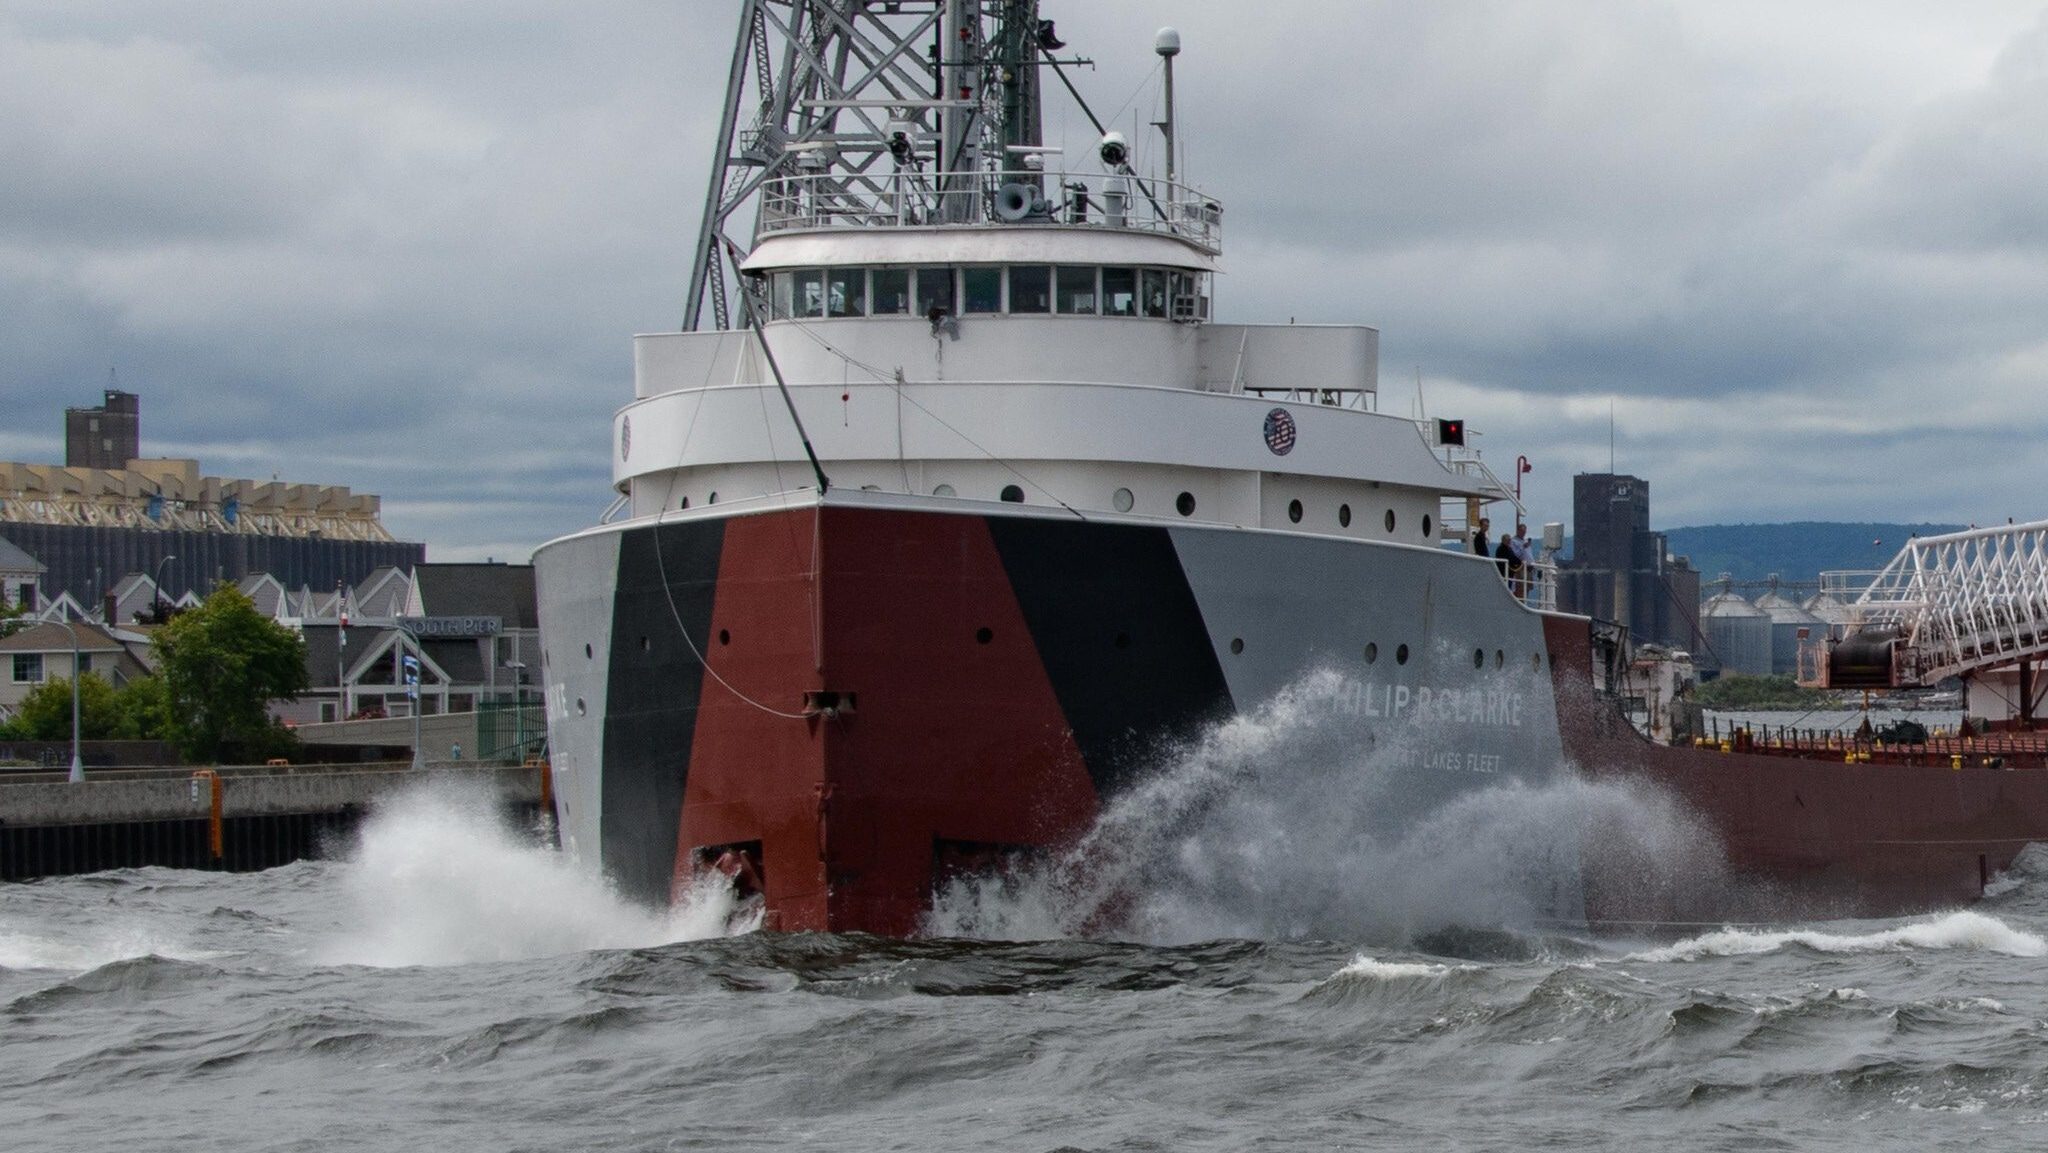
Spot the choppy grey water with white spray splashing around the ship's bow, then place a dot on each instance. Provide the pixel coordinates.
(452, 986)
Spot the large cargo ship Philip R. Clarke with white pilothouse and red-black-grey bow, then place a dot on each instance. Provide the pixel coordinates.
(953, 509)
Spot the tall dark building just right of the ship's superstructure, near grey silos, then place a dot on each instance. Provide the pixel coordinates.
(1621, 570)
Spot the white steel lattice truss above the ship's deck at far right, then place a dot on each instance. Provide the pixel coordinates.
(1959, 603)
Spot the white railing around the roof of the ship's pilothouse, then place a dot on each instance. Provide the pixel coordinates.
(937, 200)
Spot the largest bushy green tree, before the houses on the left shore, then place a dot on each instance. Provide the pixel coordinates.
(224, 665)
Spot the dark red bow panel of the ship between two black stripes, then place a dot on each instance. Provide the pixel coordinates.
(947, 736)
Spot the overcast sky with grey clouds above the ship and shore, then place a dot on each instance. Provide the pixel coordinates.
(1799, 251)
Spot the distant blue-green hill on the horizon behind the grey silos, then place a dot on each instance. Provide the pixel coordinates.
(1799, 552)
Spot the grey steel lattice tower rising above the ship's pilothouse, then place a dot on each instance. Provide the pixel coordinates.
(863, 101)
